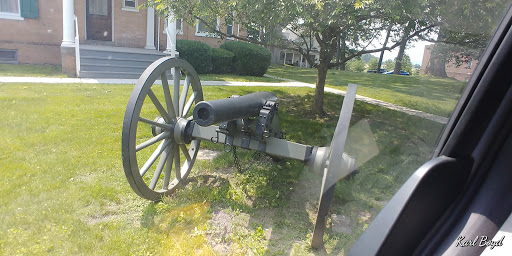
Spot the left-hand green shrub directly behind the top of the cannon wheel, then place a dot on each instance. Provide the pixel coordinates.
(198, 54)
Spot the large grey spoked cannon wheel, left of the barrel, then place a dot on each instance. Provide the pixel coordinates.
(156, 127)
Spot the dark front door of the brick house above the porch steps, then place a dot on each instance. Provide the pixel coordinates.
(99, 19)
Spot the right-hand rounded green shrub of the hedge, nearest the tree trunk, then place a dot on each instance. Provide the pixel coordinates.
(250, 59)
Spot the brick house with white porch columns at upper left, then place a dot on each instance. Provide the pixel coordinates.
(43, 31)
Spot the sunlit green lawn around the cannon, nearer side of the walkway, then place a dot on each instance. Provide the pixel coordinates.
(64, 191)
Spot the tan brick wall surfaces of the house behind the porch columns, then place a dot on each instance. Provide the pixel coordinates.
(38, 40)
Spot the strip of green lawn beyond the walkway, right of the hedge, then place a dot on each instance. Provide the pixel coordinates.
(432, 95)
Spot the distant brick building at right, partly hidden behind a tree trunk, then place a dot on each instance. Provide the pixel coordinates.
(461, 73)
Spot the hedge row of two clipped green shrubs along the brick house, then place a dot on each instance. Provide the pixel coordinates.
(232, 57)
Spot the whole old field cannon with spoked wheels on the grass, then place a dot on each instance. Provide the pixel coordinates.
(159, 127)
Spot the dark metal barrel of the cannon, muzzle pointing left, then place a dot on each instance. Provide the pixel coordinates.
(217, 111)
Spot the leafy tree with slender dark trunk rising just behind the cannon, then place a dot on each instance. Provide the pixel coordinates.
(359, 21)
